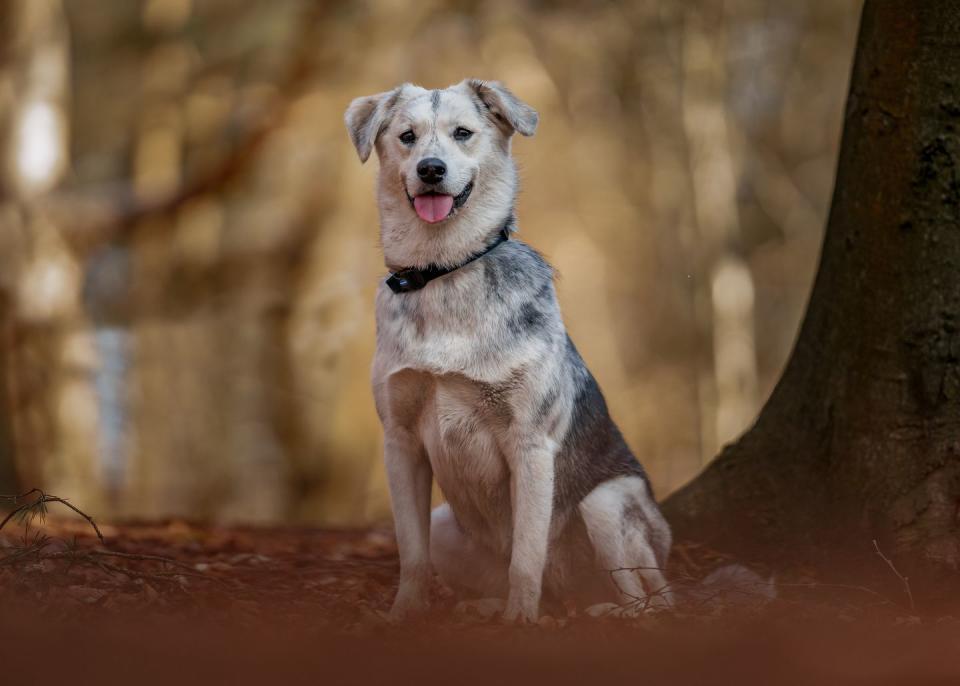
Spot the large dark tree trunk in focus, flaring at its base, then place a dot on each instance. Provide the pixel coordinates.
(860, 440)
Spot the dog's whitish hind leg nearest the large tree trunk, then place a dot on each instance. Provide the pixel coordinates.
(627, 531)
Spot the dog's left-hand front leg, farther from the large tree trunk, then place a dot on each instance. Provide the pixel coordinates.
(410, 477)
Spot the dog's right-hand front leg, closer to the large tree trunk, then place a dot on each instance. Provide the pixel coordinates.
(532, 490)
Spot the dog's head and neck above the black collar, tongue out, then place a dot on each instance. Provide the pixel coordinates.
(446, 175)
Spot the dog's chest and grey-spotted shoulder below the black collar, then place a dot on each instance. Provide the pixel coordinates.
(461, 369)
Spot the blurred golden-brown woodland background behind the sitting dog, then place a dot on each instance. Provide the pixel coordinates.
(188, 243)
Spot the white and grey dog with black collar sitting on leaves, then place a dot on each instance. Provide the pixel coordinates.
(479, 386)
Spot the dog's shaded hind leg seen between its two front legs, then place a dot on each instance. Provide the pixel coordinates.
(468, 568)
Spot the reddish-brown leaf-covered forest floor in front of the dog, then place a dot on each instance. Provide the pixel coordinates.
(174, 602)
